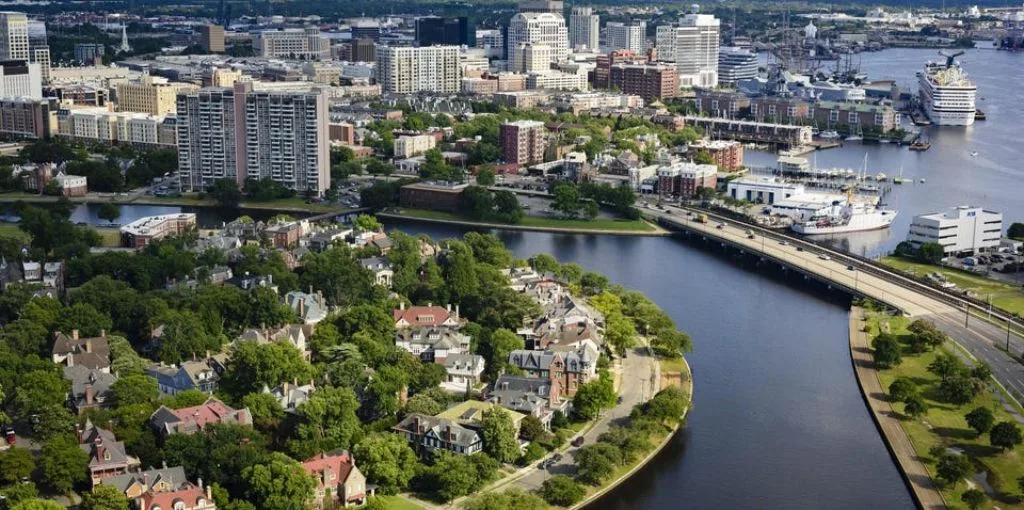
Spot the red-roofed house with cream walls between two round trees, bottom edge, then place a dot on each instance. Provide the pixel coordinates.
(338, 481)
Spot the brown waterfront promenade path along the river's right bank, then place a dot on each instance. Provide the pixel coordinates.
(925, 492)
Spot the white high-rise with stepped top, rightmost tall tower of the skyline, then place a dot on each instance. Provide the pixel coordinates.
(694, 47)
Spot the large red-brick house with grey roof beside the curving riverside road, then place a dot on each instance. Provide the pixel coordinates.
(566, 372)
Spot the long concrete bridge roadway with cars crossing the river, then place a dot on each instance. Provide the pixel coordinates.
(986, 342)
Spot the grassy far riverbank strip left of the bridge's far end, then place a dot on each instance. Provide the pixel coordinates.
(534, 224)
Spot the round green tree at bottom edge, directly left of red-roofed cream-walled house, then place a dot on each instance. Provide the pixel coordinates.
(278, 484)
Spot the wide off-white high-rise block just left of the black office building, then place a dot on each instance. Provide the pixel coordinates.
(409, 70)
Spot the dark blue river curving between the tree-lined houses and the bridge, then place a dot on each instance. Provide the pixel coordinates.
(779, 421)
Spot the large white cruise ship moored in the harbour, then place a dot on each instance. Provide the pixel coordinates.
(947, 94)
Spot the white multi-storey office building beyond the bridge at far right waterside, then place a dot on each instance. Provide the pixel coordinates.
(960, 230)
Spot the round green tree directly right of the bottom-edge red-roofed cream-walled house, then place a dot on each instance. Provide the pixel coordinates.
(388, 461)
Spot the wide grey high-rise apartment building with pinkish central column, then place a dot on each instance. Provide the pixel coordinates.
(241, 135)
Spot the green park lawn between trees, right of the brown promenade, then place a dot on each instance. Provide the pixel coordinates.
(945, 426)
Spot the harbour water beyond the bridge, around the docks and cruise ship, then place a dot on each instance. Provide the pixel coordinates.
(993, 180)
